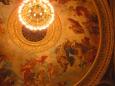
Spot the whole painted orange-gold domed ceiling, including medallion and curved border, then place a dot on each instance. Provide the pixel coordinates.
(73, 50)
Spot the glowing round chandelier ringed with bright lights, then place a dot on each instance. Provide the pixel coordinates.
(36, 14)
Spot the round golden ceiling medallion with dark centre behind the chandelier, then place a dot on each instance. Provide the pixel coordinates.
(16, 32)
